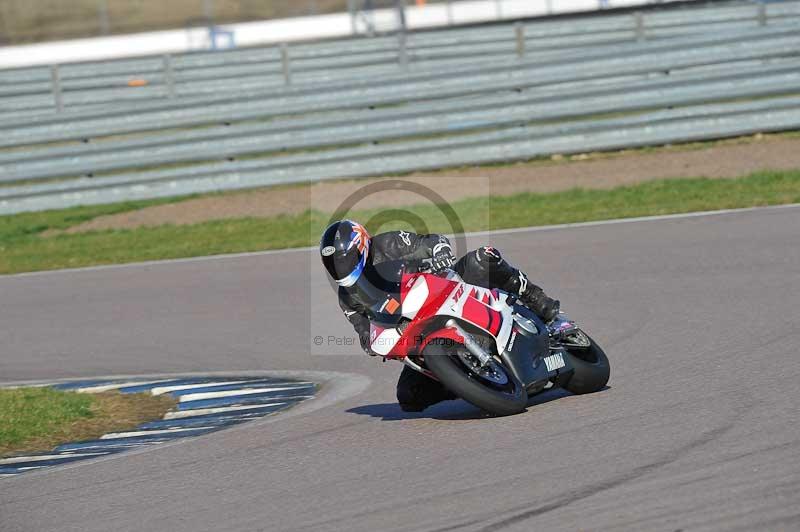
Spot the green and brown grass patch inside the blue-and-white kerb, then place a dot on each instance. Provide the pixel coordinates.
(38, 419)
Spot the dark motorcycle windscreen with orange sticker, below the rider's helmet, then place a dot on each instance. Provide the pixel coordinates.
(379, 289)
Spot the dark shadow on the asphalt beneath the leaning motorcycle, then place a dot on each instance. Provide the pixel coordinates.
(457, 410)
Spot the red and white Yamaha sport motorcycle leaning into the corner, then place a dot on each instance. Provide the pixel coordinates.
(481, 344)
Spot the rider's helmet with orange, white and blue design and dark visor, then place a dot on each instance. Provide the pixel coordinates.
(344, 248)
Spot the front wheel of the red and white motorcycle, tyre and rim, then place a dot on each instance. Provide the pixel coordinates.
(496, 391)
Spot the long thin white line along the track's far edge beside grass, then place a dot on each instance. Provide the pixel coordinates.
(252, 254)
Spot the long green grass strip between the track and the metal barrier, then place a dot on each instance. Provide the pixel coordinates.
(24, 248)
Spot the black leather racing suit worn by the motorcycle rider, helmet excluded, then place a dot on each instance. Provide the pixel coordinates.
(482, 267)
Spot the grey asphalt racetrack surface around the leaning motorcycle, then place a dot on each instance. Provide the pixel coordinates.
(698, 430)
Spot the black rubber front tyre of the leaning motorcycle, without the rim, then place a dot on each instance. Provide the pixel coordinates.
(465, 384)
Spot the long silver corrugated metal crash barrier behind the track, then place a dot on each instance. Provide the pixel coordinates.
(593, 95)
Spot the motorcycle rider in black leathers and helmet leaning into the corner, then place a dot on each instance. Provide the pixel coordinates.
(349, 254)
